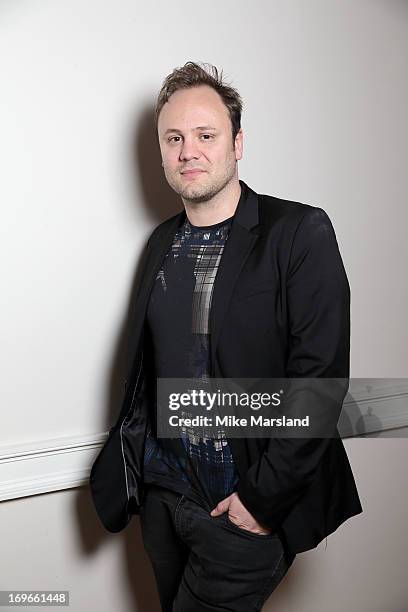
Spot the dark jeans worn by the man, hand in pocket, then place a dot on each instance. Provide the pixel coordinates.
(207, 564)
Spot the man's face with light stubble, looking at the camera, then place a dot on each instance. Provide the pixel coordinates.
(194, 130)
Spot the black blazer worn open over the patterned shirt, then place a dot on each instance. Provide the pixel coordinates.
(280, 308)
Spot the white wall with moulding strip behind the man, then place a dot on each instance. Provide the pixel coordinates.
(325, 95)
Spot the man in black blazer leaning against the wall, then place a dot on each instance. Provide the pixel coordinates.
(237, 285)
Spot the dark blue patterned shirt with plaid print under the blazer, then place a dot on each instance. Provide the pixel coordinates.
(200, 465)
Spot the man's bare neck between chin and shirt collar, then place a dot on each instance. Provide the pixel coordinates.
(221, 206)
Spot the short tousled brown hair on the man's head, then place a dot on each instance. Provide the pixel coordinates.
(193, 74)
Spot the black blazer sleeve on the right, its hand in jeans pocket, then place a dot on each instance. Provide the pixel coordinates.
(318, 299)
